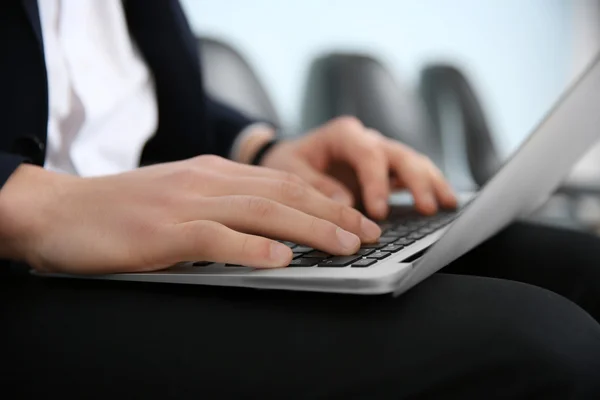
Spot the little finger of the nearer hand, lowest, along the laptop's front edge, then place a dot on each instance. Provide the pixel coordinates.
(211, 241)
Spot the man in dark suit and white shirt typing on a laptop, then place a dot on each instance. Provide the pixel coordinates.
(91, 89)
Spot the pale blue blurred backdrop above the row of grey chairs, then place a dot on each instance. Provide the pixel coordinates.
(517, 52)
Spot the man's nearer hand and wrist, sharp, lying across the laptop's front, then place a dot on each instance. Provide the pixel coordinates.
(205, 208)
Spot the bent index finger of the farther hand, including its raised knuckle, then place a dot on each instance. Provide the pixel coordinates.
(364, 153)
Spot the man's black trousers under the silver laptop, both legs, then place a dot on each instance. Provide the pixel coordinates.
(515, 318)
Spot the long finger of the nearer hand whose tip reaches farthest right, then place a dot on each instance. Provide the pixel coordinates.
(303, 198)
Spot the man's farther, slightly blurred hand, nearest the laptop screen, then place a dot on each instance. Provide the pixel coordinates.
(348, 162)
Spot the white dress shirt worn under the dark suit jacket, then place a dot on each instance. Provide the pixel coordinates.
(102, 102)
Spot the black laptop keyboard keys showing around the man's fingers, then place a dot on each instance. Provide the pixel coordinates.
(403, 227)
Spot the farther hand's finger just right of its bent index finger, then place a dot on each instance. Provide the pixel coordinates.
(413, 173)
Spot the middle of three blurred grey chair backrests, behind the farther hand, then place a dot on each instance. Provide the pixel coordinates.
(360, 85)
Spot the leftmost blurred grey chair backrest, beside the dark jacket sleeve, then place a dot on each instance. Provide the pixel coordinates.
(228, 77)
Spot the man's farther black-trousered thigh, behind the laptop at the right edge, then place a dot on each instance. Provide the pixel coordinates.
(563, 261)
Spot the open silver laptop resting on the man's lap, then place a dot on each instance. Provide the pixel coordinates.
(414, 247)
